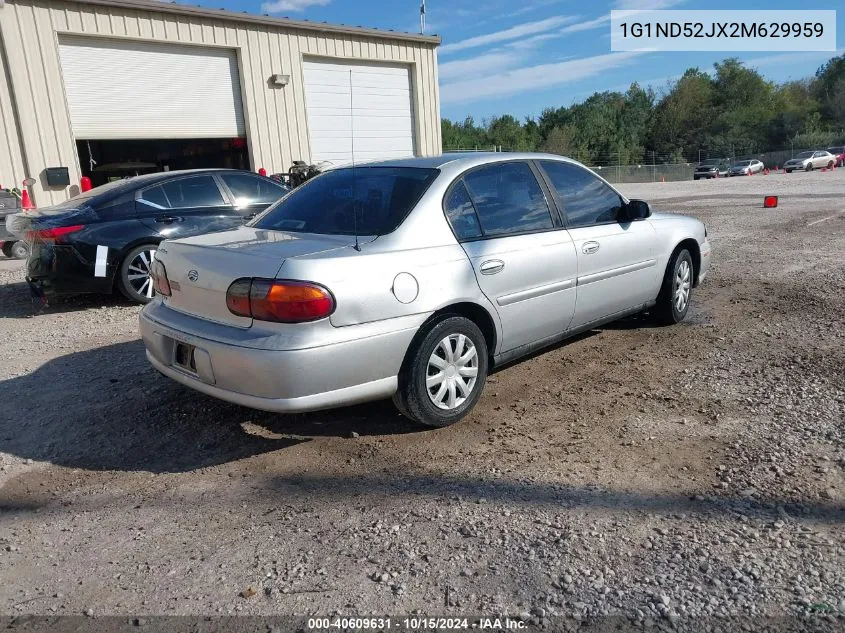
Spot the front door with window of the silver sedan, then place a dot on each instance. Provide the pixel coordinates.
(617, 259)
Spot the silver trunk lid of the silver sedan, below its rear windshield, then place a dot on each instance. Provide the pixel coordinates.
(200, 269)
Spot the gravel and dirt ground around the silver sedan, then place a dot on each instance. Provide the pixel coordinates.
(646, 472)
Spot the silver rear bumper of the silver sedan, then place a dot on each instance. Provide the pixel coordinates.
(345, 372)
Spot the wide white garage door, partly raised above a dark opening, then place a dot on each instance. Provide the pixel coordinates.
(127, 90)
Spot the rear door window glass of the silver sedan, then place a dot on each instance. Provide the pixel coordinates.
(508, 200)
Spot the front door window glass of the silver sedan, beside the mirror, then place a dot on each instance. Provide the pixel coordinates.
(586, 199)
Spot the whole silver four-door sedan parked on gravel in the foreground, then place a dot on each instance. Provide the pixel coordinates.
(412, 279)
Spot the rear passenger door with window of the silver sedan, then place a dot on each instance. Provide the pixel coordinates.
(523, 260)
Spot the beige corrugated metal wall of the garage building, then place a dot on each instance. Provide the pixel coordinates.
(275, 118)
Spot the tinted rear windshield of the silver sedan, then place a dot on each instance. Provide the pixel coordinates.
(362, 200)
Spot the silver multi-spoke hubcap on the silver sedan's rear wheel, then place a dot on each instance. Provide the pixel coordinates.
(452, 372)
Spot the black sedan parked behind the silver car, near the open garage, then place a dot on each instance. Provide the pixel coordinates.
(106, 238)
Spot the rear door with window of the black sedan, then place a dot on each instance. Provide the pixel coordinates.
(186, 205)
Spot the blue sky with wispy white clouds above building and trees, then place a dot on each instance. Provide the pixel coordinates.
(521, 56)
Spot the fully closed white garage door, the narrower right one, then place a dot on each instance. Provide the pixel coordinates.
(360, 108)
